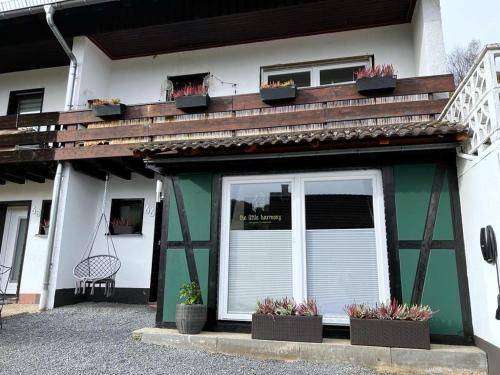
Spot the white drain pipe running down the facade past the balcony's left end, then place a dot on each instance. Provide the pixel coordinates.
(56, 192)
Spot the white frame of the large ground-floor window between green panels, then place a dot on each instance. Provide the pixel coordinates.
(299, 266)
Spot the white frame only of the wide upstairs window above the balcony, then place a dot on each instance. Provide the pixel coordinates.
(315, 68)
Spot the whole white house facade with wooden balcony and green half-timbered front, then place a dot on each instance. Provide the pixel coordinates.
(360, 192)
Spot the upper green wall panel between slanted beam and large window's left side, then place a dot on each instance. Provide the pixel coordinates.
(197, 193)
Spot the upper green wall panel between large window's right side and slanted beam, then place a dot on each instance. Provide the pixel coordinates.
(413, 185)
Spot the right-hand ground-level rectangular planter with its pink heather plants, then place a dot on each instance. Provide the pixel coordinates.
(390, 325)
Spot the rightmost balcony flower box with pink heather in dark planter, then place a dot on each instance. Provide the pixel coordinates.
(380, 78)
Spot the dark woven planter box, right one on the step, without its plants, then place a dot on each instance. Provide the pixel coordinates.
(390, 333)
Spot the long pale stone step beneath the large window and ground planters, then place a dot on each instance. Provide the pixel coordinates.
(441, 359)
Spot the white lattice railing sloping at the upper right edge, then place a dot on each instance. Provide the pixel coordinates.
(476, 102)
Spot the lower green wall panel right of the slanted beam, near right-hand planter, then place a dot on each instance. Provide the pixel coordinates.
(442, 294)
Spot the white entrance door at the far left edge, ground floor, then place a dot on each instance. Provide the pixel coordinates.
(14, 238)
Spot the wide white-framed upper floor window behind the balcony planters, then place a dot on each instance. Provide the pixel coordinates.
(316, 73)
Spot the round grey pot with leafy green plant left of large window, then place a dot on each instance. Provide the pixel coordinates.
(190, 314)
